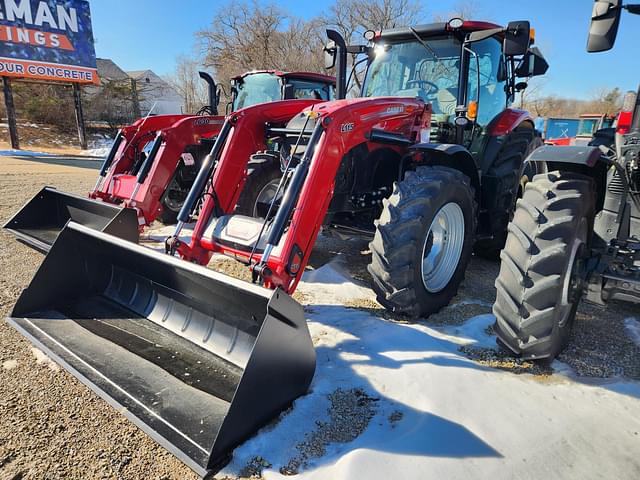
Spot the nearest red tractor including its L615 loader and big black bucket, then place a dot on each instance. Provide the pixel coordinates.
(427, 163)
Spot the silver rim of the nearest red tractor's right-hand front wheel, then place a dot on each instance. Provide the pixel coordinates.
(442, 247)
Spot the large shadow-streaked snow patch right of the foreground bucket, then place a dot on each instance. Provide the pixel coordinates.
(439, 414)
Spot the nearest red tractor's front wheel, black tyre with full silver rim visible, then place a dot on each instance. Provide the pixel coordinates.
(423, 241)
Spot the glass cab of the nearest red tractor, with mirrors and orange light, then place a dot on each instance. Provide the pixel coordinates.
(466, 70)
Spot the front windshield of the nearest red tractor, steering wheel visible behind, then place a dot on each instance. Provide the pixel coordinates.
(409, 69)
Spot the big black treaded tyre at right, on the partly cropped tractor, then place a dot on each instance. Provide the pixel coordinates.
(543, 264)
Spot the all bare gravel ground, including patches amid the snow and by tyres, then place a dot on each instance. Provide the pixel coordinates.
(51, 426)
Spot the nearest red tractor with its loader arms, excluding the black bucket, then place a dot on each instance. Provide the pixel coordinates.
(426, 165)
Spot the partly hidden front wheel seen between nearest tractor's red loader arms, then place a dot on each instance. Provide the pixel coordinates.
(259, 189)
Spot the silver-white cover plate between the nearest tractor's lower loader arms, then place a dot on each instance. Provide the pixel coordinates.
(236, 231)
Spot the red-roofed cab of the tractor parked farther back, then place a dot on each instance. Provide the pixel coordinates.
(262, 86)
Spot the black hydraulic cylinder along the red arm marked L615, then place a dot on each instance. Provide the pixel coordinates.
(291, 195)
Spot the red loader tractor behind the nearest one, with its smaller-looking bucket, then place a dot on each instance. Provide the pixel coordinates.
(153, 162)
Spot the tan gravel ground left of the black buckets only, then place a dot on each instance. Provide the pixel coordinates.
(52, 426)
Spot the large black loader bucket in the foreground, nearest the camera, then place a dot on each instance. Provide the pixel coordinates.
(196, 359)
